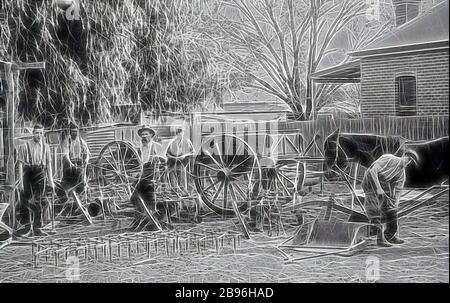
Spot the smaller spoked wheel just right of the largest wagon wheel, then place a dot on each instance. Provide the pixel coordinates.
(282, 175)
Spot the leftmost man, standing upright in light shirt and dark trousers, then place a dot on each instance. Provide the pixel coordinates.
(35, 173)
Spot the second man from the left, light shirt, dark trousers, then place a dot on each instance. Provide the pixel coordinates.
(75, 159)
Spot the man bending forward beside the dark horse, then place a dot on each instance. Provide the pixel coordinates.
(383, 183)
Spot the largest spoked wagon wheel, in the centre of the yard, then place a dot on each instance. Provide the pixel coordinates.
(226, 174)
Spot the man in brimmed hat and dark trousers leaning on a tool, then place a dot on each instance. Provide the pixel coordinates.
(143, 197)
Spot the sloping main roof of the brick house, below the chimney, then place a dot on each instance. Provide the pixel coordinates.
(429, 30)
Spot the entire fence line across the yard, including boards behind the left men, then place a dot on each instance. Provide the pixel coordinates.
(416, 128)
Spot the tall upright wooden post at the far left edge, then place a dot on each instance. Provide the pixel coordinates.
(10, 128)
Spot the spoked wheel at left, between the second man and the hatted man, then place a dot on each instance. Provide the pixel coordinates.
(118, 168)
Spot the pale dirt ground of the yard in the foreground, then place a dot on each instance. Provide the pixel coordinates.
(423, 258)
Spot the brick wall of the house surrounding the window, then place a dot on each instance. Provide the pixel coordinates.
(378, 82)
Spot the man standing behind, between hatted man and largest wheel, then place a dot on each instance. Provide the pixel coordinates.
(178, 156)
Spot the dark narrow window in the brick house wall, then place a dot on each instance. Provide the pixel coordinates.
(406, 95)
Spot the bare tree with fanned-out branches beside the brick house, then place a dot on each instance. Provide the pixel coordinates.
(280, 44)
